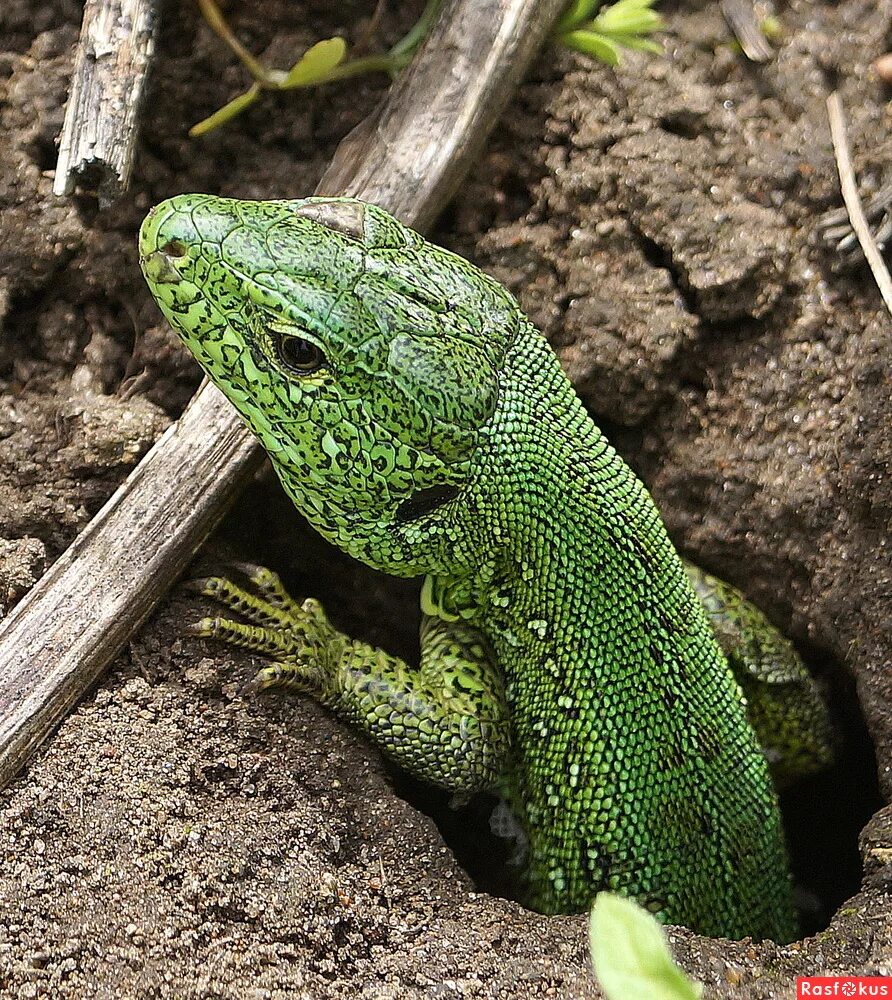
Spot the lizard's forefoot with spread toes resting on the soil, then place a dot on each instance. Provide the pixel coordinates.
(297, 638)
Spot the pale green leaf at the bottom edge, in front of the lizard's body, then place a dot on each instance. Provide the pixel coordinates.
(631, 956)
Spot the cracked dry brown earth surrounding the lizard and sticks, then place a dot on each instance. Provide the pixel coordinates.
(173, 840)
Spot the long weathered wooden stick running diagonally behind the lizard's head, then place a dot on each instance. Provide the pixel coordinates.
(57, 641)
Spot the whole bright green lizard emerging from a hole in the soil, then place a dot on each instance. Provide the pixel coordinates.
(421, 423)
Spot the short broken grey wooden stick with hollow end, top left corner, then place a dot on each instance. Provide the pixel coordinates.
(98, 137)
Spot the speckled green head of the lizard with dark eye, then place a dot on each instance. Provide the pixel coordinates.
(365, 359)
